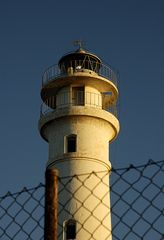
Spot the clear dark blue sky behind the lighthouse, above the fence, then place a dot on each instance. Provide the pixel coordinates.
(128, 34)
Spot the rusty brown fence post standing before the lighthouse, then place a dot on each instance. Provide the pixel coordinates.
(51, 205)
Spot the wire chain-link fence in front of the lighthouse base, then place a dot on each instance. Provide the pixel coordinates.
(137, 204)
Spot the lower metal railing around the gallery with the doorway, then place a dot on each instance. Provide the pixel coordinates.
(79, 98)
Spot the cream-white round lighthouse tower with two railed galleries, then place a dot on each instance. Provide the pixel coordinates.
(78, 120)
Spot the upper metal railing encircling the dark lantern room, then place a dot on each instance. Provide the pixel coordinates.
(75, 66)
